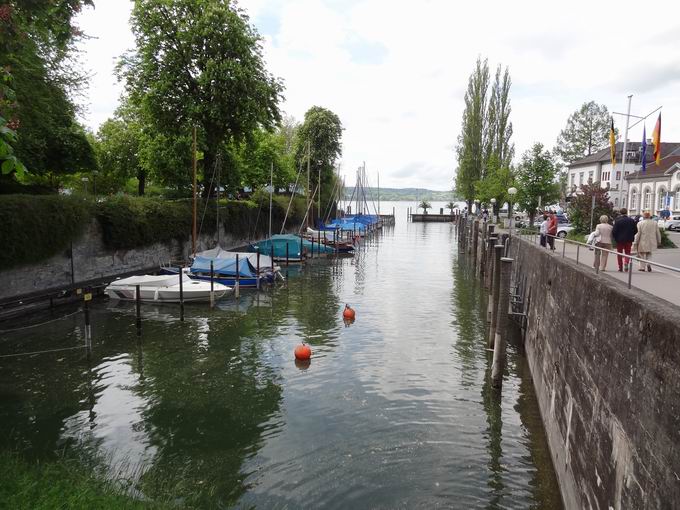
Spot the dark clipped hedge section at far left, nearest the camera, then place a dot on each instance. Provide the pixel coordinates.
(36, 227)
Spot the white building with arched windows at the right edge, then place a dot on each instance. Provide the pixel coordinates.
(656, 189)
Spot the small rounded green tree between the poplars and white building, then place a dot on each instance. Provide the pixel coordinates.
(536, 179)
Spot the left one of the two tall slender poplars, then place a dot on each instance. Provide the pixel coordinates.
(472, 140)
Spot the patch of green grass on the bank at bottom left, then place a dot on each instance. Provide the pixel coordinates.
(61, 483)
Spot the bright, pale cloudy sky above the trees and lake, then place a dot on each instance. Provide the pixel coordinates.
(395, 72)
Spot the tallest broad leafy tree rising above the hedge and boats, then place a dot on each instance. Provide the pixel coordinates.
(200, 63)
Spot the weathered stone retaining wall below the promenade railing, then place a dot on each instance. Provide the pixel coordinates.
(605, 362)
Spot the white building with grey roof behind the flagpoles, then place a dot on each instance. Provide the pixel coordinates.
(598, 168)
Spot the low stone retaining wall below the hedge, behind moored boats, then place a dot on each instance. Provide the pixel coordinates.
(90, 259)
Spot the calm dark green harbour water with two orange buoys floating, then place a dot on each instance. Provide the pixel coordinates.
(394, 411)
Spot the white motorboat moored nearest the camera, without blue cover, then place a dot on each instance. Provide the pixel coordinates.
(164, 289)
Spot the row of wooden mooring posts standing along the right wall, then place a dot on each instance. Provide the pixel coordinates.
(488, 250)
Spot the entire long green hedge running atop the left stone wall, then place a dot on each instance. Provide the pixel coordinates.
(34, 228)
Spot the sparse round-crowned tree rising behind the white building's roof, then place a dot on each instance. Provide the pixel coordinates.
(587, 131)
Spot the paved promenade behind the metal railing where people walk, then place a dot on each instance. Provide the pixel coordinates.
(660, 282)
